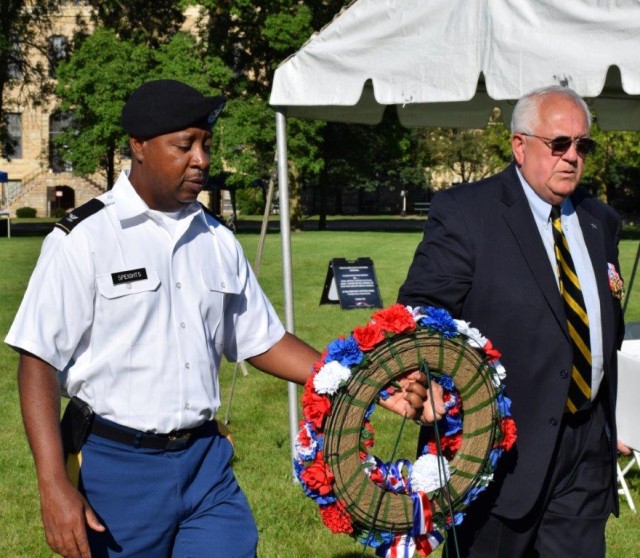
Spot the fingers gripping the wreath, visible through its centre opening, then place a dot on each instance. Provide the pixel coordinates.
(413, 399)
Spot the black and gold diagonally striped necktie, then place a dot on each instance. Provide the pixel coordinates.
(579, 397)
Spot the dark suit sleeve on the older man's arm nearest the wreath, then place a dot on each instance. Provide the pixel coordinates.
(442, 270)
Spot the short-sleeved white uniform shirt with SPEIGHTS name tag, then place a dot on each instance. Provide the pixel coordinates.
(136, 319)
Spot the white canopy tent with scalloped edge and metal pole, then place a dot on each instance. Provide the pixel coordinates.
(449, 63)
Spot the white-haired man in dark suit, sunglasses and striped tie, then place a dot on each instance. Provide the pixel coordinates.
(488, 256)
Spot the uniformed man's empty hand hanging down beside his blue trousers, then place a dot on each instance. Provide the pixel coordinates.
(65, 516)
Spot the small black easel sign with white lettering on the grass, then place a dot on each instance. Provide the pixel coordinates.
(352, 284)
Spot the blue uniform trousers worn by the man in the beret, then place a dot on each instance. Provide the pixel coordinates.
(182, 503)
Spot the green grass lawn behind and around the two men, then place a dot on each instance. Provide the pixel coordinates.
(289, 523)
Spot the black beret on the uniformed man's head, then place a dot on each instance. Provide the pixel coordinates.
(166, 105)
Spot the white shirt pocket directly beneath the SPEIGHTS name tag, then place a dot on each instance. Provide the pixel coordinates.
(131, 309)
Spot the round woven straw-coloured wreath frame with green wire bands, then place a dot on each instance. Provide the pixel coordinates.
(369, 504)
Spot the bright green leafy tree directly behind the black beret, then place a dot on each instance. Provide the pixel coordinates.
(101, 75)
